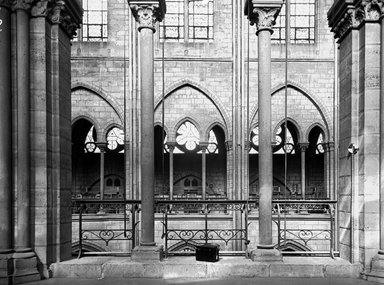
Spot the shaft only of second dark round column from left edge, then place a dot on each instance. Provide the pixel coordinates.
(23, 127)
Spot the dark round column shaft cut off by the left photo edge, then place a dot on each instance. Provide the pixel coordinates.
(5, 131)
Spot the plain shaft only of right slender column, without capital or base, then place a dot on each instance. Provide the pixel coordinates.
(265, 137)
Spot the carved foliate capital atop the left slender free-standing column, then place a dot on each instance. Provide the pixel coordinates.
(147, 14)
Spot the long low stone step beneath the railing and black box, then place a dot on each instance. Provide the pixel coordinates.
(188, 267)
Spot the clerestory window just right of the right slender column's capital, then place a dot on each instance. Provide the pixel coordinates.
(302, 23)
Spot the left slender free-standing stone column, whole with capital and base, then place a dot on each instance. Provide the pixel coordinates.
(147, 13)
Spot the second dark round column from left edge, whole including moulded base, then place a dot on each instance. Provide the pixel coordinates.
(24, 258)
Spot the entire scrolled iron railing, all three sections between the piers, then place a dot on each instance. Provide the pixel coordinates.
(304, 227)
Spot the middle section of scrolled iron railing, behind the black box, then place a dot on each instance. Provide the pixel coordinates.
(207, 230)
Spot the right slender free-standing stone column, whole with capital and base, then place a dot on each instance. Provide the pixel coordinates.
(263, 14)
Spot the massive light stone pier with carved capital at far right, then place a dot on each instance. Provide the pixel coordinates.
(355, 24)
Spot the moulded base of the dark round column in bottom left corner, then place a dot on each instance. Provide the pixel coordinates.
(25, 266)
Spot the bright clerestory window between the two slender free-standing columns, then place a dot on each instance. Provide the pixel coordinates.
(188, 20)
